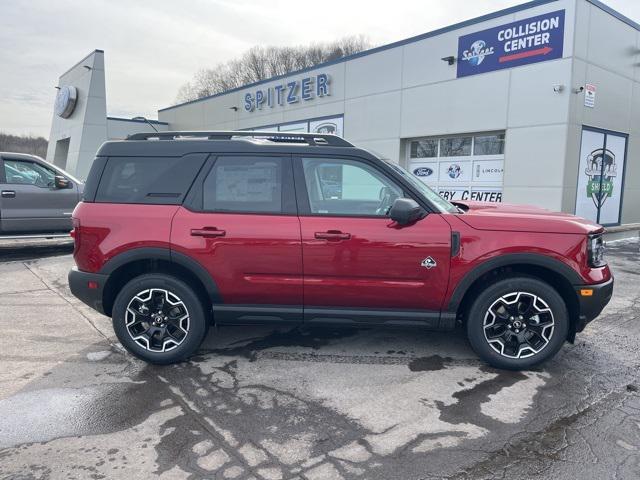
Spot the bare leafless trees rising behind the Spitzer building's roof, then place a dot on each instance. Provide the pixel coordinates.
(260, 63)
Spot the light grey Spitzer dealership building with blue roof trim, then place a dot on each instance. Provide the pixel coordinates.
(536, 104)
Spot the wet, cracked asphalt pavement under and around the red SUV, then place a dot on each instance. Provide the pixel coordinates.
(308, 404)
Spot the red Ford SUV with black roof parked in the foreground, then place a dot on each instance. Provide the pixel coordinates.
(178, 230)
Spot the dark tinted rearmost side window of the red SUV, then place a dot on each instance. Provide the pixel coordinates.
(152, 180)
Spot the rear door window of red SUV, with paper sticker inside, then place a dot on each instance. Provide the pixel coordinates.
(244, 185)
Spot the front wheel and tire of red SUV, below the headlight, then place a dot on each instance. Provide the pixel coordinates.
(517, 323)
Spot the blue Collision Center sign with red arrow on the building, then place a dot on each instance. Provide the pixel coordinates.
(535, 39)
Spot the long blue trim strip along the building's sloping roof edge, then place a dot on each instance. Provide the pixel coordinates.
(364, 53)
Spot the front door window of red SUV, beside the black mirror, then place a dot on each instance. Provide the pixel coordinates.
(347, 187)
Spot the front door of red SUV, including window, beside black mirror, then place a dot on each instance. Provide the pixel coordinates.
(358, 264)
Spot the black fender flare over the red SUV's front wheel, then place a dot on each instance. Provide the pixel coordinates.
(536, 259)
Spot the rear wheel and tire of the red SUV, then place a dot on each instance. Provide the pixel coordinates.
(159, 339)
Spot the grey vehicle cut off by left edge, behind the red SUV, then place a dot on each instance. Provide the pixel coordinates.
(30, 200)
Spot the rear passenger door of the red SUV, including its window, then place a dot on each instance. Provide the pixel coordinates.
(243, 228)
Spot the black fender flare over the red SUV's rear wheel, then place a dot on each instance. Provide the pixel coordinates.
(167, 255)
